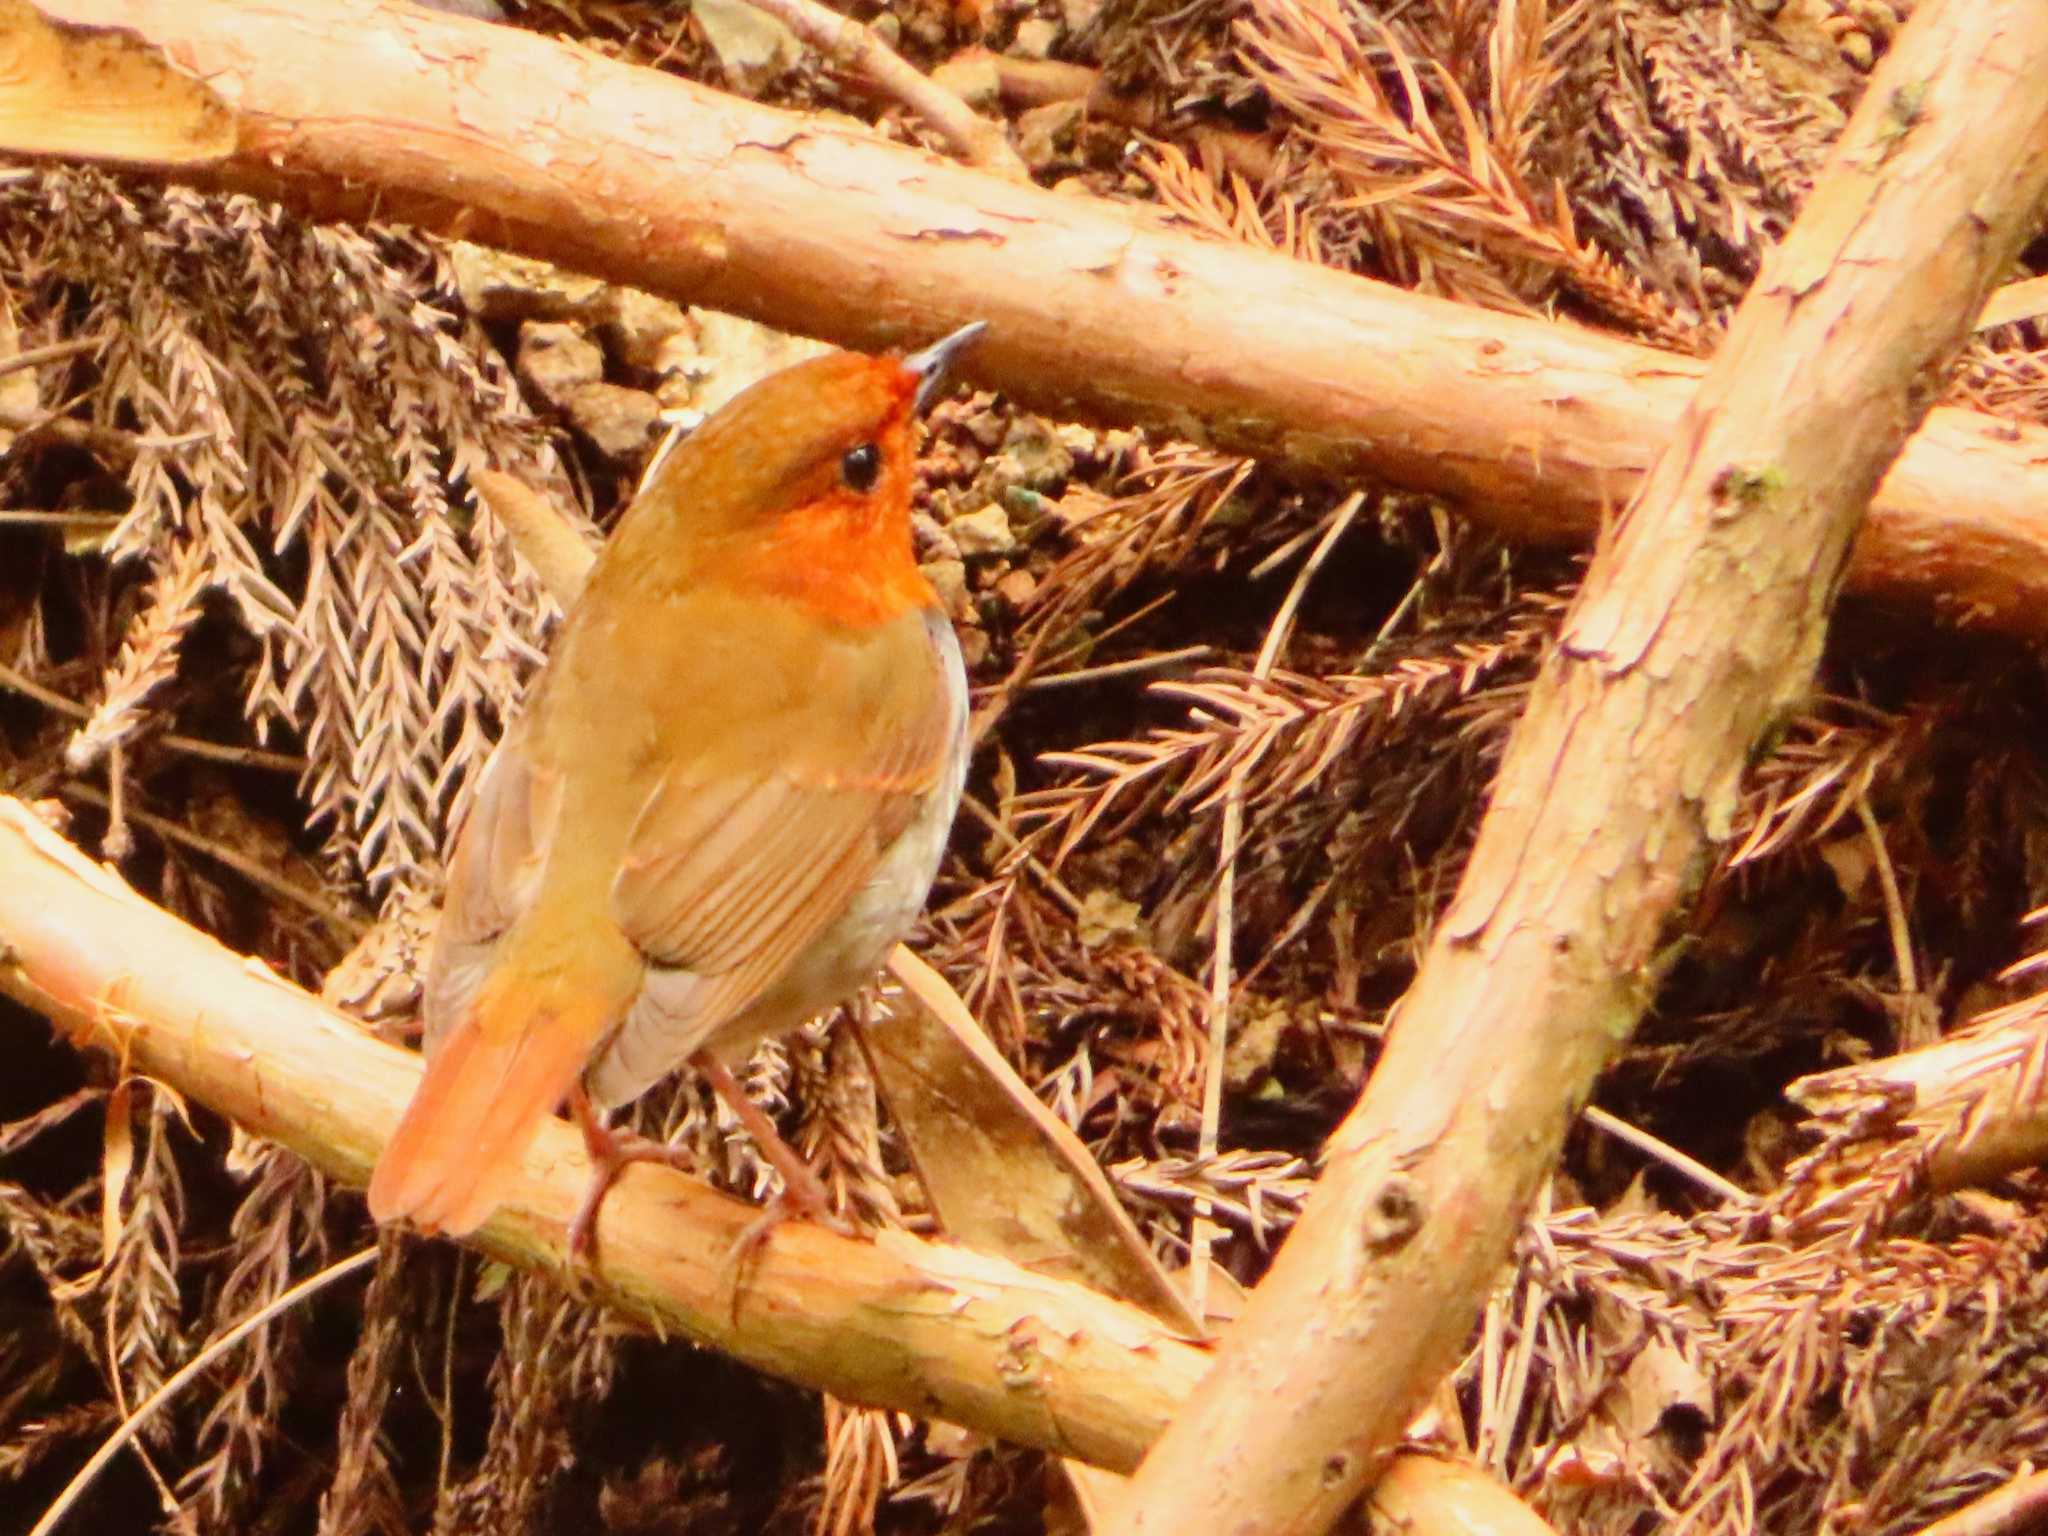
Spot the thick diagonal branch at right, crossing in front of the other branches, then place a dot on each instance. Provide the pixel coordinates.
(1699, 628)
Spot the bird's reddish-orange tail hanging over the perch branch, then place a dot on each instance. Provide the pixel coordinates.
(486, 1091)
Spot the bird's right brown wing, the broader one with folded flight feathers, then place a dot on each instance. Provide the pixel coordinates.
(728, 880)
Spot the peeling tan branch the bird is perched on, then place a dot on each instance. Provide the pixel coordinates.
(923, 1328)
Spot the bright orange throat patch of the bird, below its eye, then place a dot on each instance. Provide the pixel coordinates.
(841, 560)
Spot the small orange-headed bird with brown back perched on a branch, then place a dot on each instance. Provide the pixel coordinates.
(724, 804)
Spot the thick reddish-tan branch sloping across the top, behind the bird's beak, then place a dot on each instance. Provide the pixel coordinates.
(1099, 310)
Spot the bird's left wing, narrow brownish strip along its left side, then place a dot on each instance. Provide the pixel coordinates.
(495, 876)
